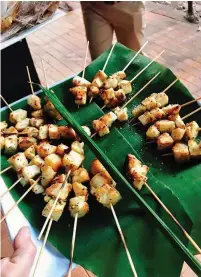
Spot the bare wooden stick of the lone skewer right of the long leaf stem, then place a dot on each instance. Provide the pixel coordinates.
(174, 219)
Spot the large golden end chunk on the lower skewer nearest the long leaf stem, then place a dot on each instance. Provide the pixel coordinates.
(107, 195)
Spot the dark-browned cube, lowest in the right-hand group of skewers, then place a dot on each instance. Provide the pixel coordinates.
(181, 152)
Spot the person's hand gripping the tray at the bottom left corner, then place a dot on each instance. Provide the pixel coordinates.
(19, 265)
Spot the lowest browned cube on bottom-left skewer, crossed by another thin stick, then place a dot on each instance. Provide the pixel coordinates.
(57, 211)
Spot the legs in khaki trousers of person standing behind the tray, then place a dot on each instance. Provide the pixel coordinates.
(102, 19)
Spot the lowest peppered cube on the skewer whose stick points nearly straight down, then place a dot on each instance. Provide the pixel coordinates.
(78, 205)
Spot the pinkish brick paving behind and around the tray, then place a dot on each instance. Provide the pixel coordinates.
(62, 47)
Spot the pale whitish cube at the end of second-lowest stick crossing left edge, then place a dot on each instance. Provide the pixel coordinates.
(27, 173)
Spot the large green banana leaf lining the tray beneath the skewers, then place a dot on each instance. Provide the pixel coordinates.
(98, 245)
